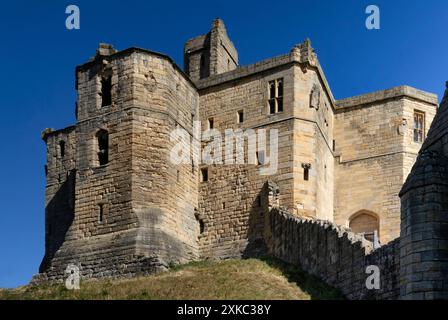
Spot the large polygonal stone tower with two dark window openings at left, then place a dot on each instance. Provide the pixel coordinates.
(115, 205)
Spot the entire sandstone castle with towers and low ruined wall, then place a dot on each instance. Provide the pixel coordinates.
(116, 206)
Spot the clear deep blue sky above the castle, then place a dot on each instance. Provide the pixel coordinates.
(38, 57)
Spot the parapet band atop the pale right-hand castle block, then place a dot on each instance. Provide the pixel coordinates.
(392, 93)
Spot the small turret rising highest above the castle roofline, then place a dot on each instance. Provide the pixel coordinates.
(210, 54)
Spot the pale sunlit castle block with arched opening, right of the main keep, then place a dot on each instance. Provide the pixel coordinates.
(374, 152)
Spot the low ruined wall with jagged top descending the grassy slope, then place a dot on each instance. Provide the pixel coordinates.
(333, 253)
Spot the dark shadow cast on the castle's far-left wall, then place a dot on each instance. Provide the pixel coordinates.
(60, 213)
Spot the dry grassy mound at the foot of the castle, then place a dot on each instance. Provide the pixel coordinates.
(251, 279)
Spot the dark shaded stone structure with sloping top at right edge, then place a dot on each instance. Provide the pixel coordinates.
(424, 217)
